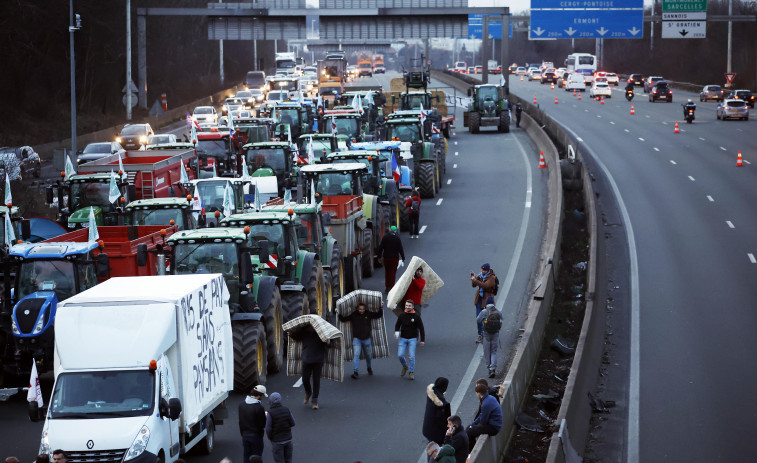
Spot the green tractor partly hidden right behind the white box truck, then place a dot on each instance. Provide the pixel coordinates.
(254, 298)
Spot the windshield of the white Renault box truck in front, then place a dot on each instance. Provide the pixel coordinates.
(103, 394)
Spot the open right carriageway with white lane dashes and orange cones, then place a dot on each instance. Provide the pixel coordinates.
(689, 213)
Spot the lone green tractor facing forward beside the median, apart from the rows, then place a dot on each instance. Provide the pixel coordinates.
(489, 108)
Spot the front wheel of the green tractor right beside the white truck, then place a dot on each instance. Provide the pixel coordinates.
(249, 355)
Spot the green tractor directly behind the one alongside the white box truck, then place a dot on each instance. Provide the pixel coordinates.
(298, 272)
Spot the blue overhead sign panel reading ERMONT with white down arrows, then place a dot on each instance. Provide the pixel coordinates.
(582, 24)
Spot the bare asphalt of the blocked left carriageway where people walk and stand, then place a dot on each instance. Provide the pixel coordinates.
(491, 209)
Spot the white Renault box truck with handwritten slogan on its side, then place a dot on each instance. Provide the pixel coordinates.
(143, 366)
